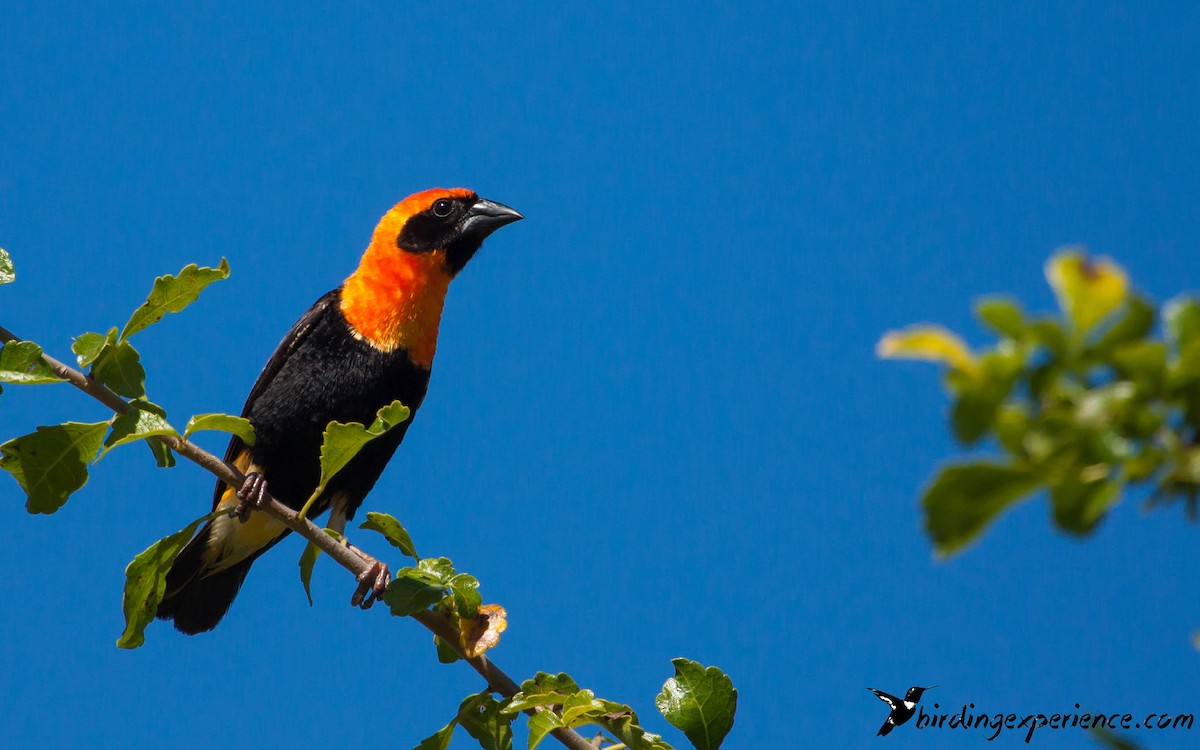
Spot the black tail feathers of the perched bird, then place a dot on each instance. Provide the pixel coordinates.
(196, 598)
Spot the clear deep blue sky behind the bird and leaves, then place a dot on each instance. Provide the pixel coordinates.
(657, 427)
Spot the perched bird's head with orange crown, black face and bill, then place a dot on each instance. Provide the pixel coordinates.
(451, 225)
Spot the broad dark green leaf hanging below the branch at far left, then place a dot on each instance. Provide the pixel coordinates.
(52, 463)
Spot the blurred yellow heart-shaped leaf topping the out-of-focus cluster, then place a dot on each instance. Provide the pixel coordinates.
(1088, 289)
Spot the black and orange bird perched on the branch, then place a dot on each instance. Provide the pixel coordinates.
(361, 347)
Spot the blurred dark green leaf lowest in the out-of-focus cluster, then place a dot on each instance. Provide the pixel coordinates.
(965, 499)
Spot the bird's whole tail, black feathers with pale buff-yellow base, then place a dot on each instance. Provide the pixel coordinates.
(209, 571)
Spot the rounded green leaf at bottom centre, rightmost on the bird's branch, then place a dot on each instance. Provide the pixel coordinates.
(699, 703)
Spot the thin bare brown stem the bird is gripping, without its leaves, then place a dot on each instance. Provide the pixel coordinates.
(344, 555)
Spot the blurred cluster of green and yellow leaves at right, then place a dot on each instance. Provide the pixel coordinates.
(1083, 405)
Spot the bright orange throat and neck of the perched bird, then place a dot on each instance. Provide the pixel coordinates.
(394, 301)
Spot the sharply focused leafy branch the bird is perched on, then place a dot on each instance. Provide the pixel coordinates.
(53, 463)
